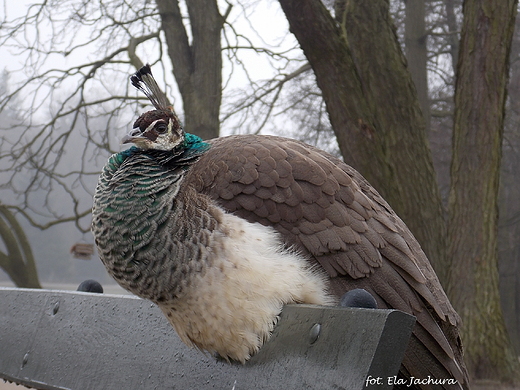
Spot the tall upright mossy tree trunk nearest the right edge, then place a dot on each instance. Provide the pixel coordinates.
(480, 98)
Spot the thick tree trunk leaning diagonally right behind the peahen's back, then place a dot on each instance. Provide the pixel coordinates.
(373, 108)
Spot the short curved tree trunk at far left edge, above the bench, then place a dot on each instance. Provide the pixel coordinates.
(18, 261)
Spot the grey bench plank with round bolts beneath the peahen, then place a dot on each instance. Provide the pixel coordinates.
(53, 339)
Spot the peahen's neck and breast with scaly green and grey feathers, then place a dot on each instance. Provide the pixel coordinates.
(138, 209)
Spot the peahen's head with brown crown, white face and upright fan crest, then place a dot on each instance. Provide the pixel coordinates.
(158, 129)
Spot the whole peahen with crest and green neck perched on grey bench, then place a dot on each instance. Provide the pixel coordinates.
(221, 234)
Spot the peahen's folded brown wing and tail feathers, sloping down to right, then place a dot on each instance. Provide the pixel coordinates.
(329, 211)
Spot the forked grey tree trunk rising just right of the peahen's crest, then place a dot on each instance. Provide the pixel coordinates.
(196, 67)
